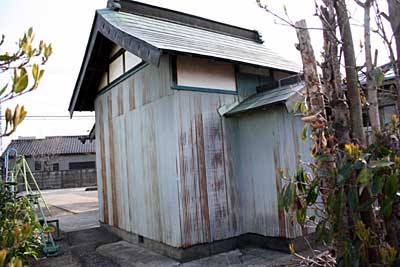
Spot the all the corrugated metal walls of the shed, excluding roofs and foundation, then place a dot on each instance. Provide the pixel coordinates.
(172, 169)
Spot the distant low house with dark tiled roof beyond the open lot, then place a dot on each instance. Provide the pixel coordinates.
(57, 161)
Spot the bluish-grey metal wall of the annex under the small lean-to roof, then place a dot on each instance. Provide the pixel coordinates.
(266, 141)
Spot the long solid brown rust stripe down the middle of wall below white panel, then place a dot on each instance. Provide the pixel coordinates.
(201, 162)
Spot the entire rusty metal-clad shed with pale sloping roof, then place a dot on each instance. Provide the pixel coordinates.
(193, 124)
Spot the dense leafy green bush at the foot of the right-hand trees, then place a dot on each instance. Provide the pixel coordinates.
(339, 220)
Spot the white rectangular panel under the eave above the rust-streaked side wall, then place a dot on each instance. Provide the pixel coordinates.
(205, 73)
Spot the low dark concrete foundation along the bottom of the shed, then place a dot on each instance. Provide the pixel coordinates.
(216, 247)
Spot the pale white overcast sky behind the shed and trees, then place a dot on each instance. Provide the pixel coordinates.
(67, 24)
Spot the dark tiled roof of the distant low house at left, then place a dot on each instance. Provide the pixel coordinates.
(52, 145)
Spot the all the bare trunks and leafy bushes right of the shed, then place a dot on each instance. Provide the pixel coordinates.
(349, 193)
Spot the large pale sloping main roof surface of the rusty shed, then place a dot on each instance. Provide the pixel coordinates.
(170, 36)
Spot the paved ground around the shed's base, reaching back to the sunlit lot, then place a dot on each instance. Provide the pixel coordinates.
(84, 243)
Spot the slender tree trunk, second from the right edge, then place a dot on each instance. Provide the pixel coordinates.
(372, 92)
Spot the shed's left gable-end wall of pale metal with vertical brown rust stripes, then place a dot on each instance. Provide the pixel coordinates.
(140, 154)
